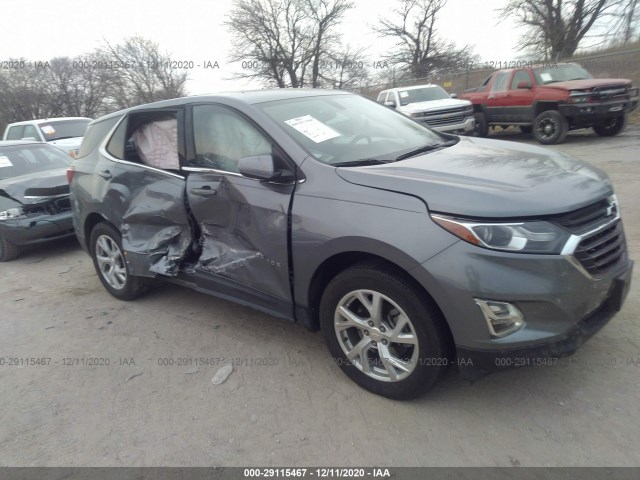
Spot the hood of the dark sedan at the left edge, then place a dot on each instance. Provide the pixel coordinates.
(41, 185)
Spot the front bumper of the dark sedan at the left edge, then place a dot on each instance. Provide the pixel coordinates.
(37, 229)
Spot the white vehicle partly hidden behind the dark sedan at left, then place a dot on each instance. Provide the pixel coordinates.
(64, 133)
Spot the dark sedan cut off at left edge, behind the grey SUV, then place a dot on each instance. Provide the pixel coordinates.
(34, 196)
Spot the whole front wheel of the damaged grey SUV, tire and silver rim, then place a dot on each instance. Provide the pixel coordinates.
(400, 300)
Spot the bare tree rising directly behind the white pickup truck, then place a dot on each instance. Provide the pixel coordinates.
(420, 51)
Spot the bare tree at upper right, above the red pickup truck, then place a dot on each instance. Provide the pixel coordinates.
(555, 28)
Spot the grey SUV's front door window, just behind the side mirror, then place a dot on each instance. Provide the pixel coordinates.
(222, 138)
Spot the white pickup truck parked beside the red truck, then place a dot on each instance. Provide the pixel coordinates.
(431, 105)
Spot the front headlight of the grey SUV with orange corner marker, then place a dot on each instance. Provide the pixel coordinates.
(523, 237)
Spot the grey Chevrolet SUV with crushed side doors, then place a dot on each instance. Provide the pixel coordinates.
(410, 249)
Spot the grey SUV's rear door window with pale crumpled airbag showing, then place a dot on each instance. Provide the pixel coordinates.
(149, 138)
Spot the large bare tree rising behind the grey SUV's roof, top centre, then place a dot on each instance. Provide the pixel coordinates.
(284, 42)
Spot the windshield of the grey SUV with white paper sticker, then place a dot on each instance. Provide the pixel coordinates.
(337, 129)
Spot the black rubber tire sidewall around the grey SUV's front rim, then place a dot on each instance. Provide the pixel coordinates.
(432, 359)
